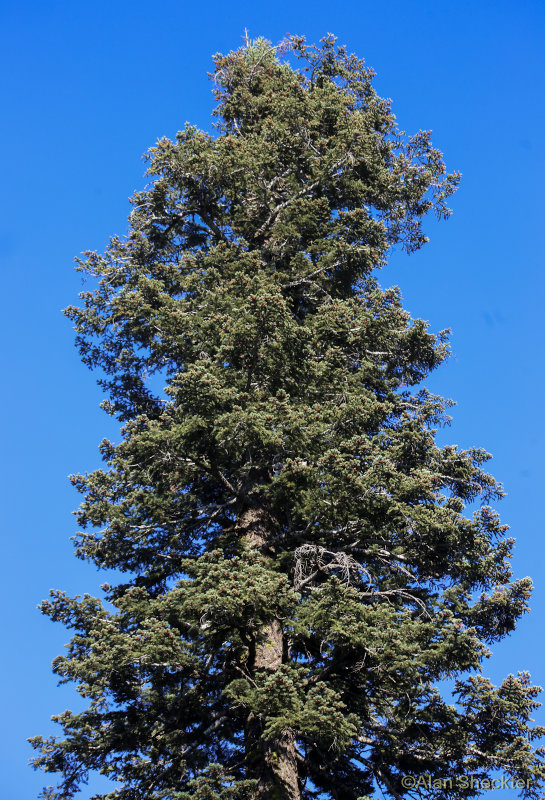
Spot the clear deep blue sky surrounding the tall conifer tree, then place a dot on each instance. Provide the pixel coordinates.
(88, 87)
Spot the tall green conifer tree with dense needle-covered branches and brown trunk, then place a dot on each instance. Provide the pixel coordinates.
(298, 572)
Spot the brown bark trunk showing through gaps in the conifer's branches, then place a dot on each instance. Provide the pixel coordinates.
(273, 763)
